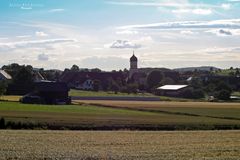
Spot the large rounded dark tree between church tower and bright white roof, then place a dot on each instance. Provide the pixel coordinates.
(154, 78)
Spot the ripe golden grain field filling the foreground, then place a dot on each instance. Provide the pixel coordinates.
(120, 145)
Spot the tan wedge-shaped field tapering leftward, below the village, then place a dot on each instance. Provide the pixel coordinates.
(207, 109)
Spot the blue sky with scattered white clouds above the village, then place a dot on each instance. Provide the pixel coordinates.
(104, 33)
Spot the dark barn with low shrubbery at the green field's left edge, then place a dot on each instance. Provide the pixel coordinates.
(48, 93)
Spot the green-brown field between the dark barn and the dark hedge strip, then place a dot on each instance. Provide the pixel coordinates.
(87, 116)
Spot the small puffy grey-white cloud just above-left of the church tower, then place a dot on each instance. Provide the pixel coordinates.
(123, 44)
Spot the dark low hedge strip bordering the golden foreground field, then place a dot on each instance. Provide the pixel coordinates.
(35, 126)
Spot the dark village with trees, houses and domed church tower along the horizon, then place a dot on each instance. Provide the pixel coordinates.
(52, 86)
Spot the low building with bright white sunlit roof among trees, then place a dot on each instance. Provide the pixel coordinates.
(171, 90)
